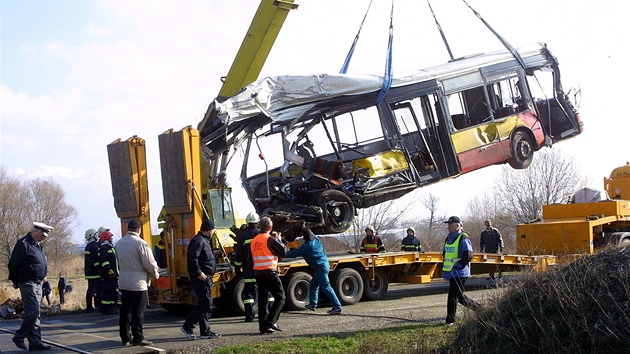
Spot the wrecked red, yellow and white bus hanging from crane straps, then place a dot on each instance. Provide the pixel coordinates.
(342, 149)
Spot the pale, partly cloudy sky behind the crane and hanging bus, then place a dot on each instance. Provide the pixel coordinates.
(76, 75)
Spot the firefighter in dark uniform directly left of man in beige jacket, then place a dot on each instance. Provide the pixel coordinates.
(108, 273)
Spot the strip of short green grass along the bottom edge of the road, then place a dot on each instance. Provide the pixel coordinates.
(413, 338)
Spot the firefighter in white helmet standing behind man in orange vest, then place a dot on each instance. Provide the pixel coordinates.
(244, 266)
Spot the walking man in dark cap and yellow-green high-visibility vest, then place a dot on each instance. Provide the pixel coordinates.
(457, 254)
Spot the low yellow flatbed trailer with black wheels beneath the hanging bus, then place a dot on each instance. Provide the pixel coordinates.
(356, 277)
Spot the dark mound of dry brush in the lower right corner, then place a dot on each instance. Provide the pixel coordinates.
(580, 307)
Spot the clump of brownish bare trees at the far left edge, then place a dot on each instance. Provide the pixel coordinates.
(22, 202)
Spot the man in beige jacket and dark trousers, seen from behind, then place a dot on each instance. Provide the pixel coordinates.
(136, 266)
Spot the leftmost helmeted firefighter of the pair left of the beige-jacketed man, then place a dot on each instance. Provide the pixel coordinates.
(92, 271)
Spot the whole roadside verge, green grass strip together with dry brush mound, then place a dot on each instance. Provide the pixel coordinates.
(579, 307)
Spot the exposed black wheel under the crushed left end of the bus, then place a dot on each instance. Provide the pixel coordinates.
(337, 208)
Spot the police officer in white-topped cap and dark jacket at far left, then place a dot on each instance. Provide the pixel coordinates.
(27, 269)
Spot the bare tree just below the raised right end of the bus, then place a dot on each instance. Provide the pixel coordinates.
(551, 178)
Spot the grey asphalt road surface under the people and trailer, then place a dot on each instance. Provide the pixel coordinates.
(404, 303)
